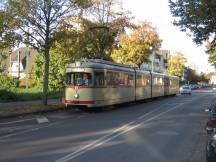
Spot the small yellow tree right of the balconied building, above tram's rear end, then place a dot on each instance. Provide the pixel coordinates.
(176, 64)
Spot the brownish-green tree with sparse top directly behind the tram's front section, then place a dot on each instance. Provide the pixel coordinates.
(98, 28)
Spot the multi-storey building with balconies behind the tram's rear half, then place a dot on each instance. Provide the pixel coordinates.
(157, 61)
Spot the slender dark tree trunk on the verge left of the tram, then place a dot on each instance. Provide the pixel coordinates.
(46, 74)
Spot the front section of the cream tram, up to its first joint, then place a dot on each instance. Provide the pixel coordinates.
(97, 83)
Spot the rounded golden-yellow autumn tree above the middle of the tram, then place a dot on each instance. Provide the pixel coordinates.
(135, 48)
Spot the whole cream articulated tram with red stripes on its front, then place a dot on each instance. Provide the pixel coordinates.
(98, 83)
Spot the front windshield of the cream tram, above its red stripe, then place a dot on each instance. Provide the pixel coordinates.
(79, 79)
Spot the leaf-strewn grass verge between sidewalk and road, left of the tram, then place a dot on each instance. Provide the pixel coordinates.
(30, 109)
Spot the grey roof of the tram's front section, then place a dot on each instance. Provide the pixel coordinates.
(96, 63)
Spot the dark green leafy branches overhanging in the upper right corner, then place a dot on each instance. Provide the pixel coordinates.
(197, 16)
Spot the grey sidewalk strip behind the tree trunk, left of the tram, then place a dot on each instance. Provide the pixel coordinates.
(22, 104)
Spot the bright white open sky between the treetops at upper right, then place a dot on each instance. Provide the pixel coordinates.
(157, 12)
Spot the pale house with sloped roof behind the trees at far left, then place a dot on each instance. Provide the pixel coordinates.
(20, 62)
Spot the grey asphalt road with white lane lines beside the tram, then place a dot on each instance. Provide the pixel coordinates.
(164, 130)
